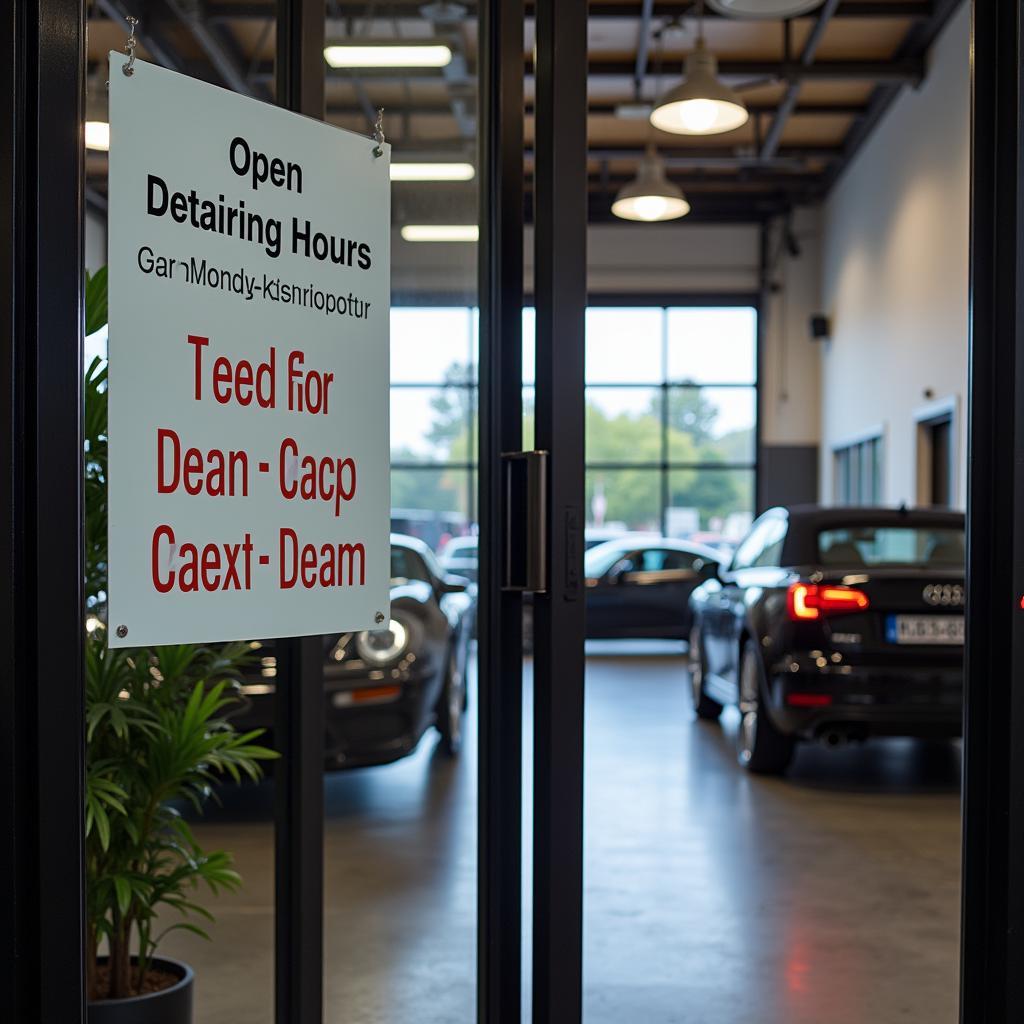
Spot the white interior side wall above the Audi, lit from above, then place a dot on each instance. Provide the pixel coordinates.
(895, 275)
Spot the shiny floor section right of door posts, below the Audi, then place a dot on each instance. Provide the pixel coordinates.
(828, 898)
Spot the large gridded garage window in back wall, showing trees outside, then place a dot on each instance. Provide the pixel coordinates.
(671, 419)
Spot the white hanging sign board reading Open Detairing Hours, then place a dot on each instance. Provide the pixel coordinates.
(249, 307)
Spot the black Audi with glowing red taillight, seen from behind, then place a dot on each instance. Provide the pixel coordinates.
(834, 624)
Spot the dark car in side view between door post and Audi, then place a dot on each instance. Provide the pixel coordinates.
(641, 588)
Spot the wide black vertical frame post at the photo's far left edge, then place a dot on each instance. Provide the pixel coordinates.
(41, 556)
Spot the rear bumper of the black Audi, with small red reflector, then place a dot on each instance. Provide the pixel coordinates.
(809, 701)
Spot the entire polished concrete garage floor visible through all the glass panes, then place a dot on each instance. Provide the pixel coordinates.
(829, 897)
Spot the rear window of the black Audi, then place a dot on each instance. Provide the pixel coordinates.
(926, 547)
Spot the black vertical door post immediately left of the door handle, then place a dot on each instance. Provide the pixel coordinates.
(500, 665)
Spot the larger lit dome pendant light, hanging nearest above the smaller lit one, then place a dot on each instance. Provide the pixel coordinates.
(702, 105)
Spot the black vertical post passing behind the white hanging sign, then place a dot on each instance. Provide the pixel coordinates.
(300, 705)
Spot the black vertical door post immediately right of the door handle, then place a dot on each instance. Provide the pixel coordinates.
(561, 290)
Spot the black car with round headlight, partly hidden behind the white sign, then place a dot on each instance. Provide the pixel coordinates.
(385, 689)
